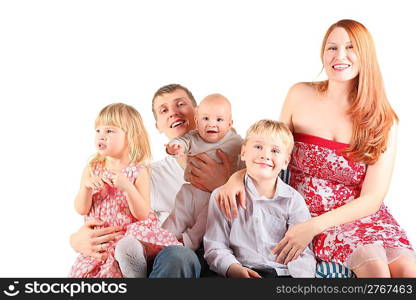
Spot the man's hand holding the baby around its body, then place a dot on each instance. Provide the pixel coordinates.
(205, 173)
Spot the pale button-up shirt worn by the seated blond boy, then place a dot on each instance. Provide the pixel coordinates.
(250, 238)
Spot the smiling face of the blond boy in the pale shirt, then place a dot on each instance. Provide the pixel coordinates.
(264, 156)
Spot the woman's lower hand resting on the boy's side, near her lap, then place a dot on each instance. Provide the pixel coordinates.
(296, 239)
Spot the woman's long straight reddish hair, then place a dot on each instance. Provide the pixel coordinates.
(371, 113)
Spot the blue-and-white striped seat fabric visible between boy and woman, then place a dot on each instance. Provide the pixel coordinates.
(324, 269)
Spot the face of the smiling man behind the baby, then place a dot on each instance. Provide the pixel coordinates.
(174, 113)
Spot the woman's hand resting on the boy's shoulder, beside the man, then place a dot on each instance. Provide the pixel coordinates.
(230, 193)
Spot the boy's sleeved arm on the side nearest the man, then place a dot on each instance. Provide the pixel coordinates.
(218, 253)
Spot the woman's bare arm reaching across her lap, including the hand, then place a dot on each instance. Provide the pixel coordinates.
(374, 189)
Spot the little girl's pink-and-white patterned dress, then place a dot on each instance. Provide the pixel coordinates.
(110, 206)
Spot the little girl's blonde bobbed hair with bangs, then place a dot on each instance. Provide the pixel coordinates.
(129, 120)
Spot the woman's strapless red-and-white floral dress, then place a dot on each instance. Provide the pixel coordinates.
(327, 180)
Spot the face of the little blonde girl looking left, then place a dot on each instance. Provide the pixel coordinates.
(111, 141)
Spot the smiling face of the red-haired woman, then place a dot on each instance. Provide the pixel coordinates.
(340, 58)
